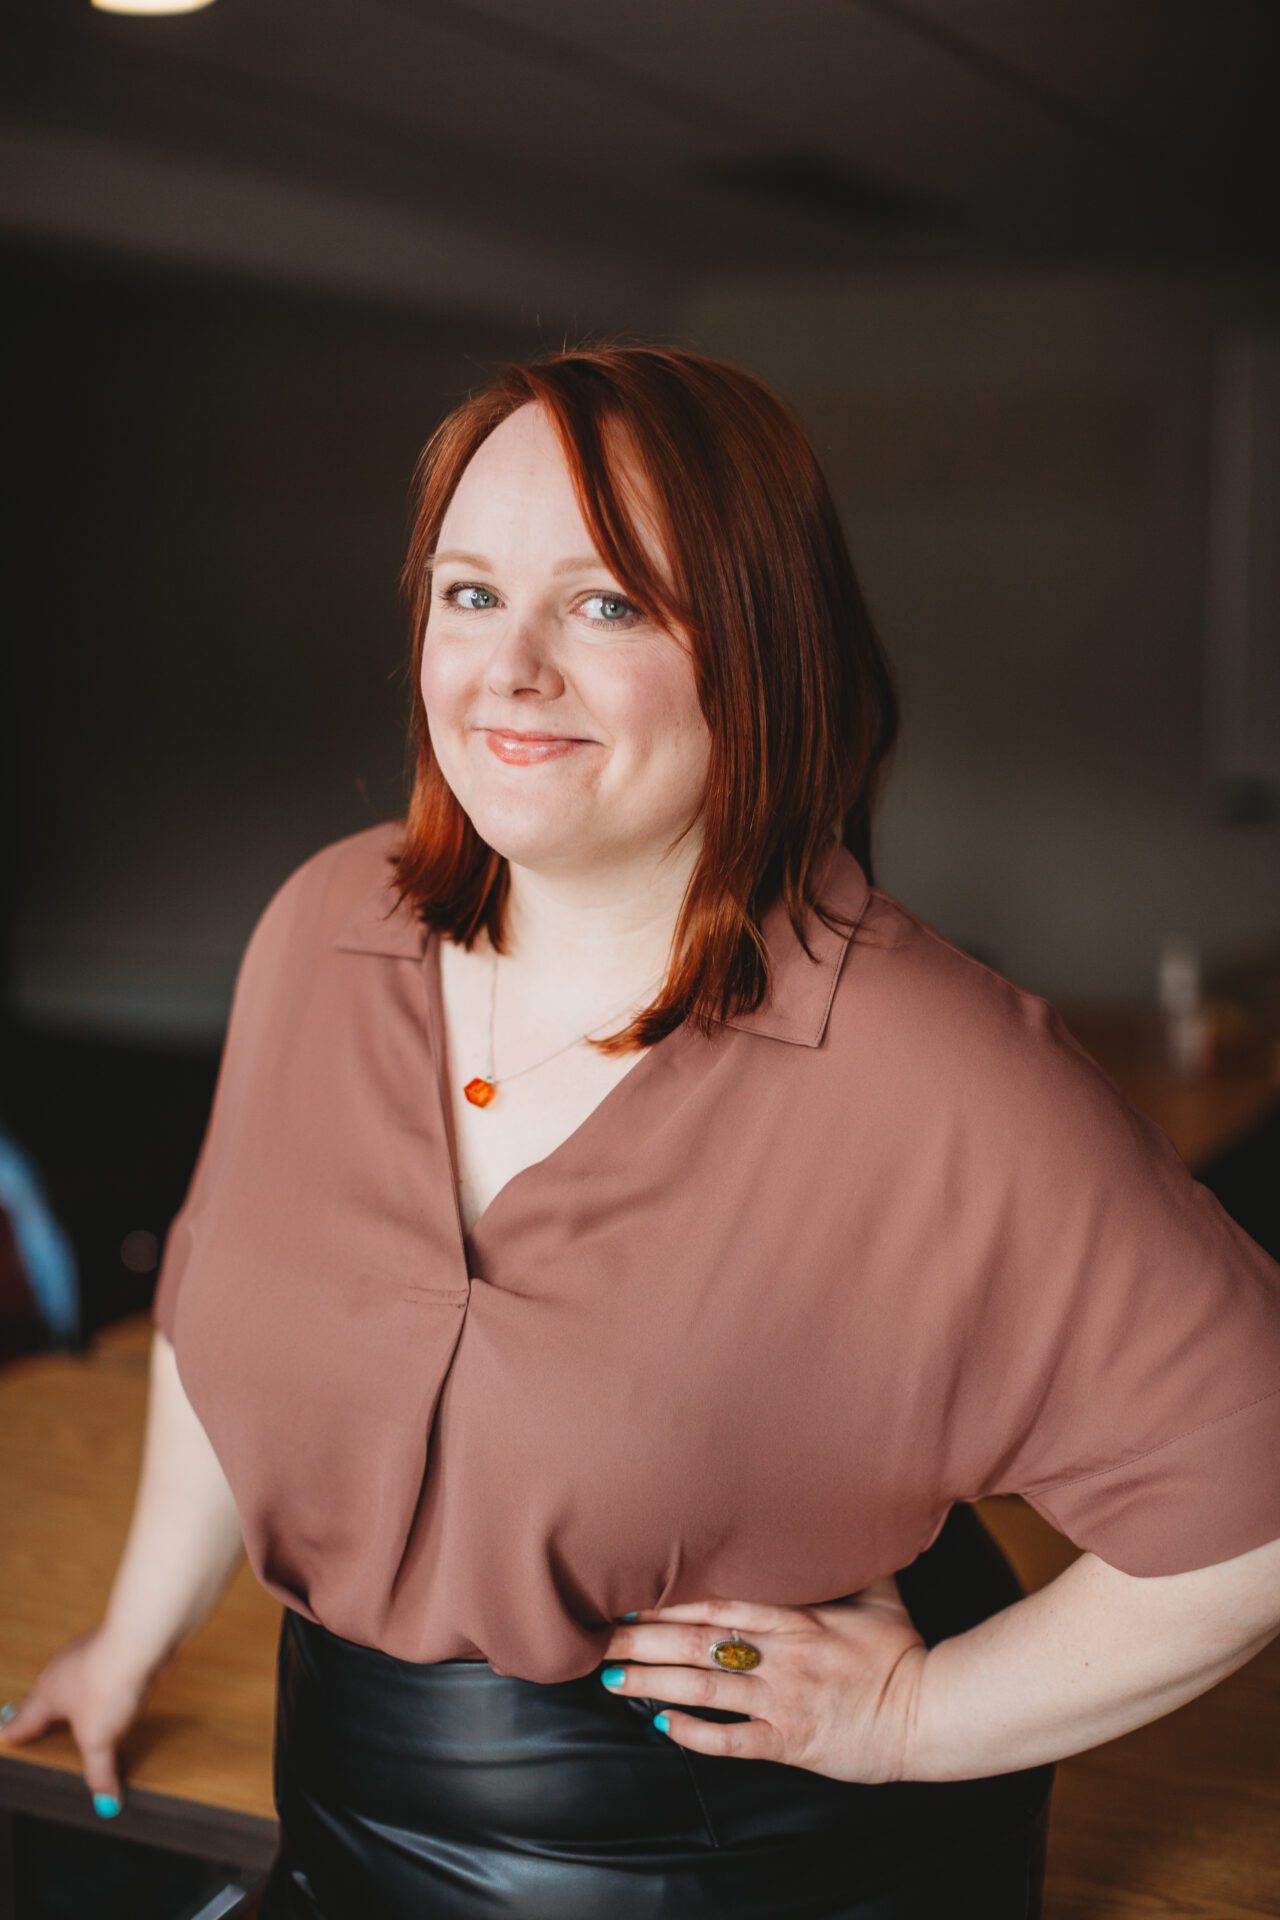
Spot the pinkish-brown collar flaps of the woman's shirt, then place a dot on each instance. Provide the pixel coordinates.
(801, 990)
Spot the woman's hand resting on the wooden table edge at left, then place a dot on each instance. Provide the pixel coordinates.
(97, 1691)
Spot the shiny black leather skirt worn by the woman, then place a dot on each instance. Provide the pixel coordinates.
(448, 1792)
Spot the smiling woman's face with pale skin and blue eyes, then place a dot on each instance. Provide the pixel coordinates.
(529, 633)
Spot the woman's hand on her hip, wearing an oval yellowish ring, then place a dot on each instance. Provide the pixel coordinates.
(836, 1687)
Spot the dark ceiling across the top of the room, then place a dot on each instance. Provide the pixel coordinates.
(550, 156)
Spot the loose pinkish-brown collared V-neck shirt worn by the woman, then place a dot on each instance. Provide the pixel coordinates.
(888, 1243)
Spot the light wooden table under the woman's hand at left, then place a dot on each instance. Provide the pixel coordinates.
(197, 1764)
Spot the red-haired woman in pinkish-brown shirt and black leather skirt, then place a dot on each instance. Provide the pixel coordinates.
(627, 1239)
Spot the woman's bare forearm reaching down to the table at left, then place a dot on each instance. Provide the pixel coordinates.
(183, 1541)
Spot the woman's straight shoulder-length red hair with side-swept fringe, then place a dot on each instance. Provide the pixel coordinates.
(794, 684)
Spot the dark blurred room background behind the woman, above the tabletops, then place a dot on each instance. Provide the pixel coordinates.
(1016, 264)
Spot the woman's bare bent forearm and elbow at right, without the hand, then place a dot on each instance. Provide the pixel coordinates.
(1085, 1660)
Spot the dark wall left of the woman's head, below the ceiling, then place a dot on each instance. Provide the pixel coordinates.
(204, 683)
